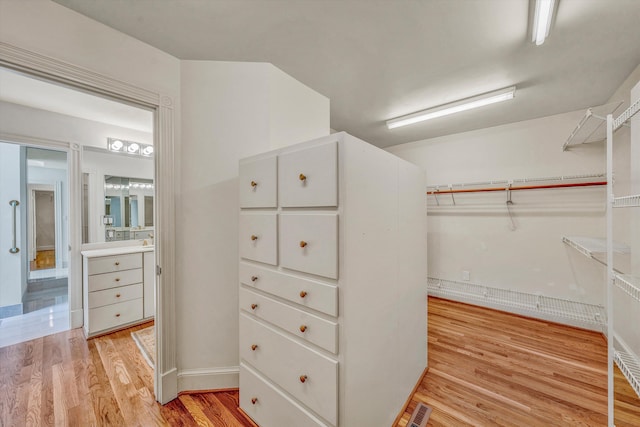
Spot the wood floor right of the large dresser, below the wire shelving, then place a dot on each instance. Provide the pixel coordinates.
(489, 368)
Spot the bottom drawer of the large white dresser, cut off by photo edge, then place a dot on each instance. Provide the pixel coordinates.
(268, 406)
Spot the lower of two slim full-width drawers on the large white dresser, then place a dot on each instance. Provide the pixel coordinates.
(298, 322)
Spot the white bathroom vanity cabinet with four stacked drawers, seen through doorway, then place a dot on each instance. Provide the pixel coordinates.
(118, 288)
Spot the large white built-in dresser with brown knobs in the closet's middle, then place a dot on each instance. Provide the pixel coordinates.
(333, 286)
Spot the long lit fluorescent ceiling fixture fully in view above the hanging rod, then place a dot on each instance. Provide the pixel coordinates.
(453, 107)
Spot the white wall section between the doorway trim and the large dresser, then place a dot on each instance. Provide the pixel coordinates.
(228, 113)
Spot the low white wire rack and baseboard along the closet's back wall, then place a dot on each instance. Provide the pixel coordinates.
(572, 313)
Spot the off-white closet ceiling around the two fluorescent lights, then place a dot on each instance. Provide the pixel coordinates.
(379, 59)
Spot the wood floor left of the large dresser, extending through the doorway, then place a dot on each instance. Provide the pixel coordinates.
(64, 380)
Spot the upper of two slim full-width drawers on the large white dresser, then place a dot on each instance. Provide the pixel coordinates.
(308, 293)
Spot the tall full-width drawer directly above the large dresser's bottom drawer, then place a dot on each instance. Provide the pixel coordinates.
(288, 363)
